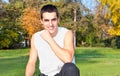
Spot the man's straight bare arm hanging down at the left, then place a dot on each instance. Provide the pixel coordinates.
(30, 68)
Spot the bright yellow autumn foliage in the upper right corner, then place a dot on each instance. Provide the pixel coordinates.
(112, 7)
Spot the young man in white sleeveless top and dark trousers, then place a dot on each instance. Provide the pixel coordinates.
(54, 46)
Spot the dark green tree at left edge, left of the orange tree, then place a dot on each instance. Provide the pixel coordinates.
(10, 28)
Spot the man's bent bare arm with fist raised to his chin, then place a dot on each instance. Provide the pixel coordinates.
(67, 52)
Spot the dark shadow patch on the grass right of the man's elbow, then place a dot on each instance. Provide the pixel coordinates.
(87, 56)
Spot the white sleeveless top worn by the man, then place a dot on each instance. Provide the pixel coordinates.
(49, 63)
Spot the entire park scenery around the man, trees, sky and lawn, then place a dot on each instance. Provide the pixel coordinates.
(96, 30)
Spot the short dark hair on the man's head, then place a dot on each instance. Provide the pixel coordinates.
(48, 8)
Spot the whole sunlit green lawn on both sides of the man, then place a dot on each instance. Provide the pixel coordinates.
(91, 62)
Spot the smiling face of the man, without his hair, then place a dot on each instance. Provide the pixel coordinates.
(50, 22)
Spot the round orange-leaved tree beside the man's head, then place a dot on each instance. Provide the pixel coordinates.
(31, 20)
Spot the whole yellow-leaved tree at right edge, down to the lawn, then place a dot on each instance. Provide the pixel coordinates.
(108, 19)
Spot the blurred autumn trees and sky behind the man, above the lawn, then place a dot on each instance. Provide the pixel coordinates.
(94, 22)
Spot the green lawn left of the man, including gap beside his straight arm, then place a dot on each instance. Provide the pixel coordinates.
(13, 62)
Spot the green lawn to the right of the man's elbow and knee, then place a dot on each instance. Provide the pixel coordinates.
(98, 61)
